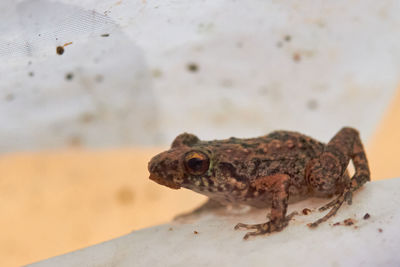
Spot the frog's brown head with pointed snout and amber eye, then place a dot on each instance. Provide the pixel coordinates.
(173, 167)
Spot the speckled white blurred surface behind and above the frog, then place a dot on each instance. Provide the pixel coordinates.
(133, 87)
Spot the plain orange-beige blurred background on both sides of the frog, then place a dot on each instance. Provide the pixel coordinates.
(54, 202)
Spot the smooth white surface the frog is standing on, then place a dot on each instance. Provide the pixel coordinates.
(217, 244)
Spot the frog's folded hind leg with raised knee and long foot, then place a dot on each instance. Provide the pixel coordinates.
(327, 172)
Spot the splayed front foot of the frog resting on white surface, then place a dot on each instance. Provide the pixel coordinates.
(264, 228)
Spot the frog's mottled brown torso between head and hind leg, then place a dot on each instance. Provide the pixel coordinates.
(238, 163)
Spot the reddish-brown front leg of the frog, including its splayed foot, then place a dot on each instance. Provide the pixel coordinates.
(278, 186)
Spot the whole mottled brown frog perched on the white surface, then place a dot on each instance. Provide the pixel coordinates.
(269, 171)
